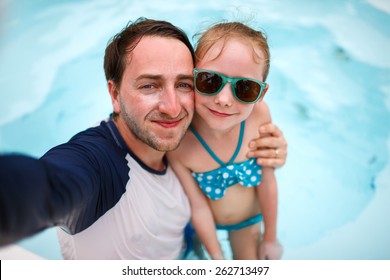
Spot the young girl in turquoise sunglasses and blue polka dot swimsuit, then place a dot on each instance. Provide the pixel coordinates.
(226, 190)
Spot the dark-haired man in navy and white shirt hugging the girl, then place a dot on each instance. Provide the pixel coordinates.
(110, 188)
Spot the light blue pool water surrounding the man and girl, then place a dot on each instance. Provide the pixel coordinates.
(329, 92)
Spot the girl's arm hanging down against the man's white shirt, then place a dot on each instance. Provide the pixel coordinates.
(201, 216)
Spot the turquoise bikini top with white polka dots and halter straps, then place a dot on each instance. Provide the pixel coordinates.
(215, 182)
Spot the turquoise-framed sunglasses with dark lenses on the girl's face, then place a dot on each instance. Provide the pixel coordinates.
(245, 90)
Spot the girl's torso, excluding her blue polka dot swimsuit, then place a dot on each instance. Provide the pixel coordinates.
(238, 202)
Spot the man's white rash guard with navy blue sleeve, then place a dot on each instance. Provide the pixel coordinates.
(106, 201)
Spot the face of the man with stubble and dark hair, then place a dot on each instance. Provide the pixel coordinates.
(156, 96)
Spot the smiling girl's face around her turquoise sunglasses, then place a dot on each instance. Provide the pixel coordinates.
(234, 58)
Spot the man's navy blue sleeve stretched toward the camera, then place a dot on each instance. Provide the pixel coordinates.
(71, 186)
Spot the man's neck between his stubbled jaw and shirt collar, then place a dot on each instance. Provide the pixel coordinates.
(148, 155)
